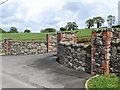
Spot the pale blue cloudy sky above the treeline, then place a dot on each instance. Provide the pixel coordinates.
(40, 14)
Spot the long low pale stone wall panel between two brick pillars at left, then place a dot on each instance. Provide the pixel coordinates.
(26, 48)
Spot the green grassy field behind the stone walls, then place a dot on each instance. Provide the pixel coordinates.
(80, 32)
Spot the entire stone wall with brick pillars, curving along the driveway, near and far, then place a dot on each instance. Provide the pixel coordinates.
(101, 57)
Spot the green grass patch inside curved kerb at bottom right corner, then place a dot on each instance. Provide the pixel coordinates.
(105, 81)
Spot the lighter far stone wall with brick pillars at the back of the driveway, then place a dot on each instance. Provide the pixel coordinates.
(20, 47)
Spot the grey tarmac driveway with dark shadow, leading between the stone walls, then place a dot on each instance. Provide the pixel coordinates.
(43, 71)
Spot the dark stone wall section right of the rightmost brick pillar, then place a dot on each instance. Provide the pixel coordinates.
(115, 52)
